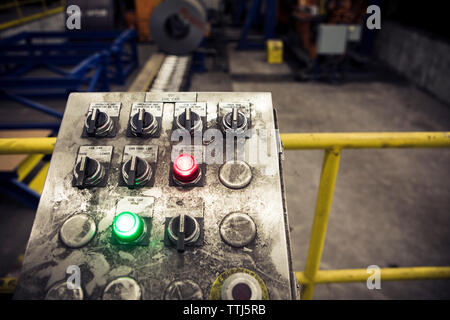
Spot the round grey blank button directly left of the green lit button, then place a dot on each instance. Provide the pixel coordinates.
(77, 231)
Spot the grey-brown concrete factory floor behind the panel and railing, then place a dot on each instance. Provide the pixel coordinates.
(391, 207)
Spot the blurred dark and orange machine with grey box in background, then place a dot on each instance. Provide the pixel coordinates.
(325, 37)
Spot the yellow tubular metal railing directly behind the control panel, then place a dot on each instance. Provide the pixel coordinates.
(332, 143)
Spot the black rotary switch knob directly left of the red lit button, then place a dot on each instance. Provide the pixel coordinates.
(136, 172)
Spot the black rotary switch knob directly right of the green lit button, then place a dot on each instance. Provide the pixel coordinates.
(183, 229)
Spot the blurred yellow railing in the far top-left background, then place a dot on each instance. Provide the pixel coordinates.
(21, 18)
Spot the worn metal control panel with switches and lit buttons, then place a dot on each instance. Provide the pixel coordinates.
(162, 196)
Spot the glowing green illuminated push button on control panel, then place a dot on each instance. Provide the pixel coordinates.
(127, 226)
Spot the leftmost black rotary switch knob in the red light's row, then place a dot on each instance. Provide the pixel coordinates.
(88, 172)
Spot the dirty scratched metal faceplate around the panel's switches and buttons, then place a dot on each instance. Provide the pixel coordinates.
(156, 267)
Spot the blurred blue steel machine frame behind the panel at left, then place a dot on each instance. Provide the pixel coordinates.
(94, 59)
